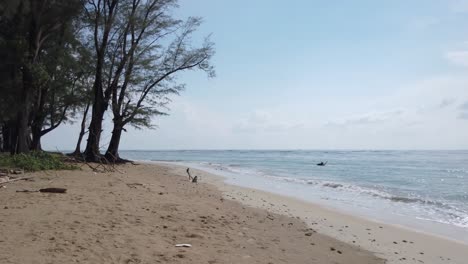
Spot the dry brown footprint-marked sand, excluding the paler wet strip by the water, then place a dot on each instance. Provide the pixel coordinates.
(139, 214)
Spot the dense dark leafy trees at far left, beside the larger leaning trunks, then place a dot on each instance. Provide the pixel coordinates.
(43, 67)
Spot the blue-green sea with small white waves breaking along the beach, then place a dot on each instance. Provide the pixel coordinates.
(424, 190)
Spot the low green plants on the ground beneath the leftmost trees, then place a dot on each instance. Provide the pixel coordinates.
(35, 161)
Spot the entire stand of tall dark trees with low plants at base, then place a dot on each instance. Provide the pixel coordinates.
(64, 61)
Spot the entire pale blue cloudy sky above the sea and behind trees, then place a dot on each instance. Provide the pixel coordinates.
(305, 74)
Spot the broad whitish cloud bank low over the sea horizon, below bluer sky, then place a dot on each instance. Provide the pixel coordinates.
(430, 113)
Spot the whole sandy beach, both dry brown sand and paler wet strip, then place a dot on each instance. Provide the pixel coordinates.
(139, 213)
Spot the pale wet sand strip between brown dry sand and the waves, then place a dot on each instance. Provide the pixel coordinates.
(395, 243)
